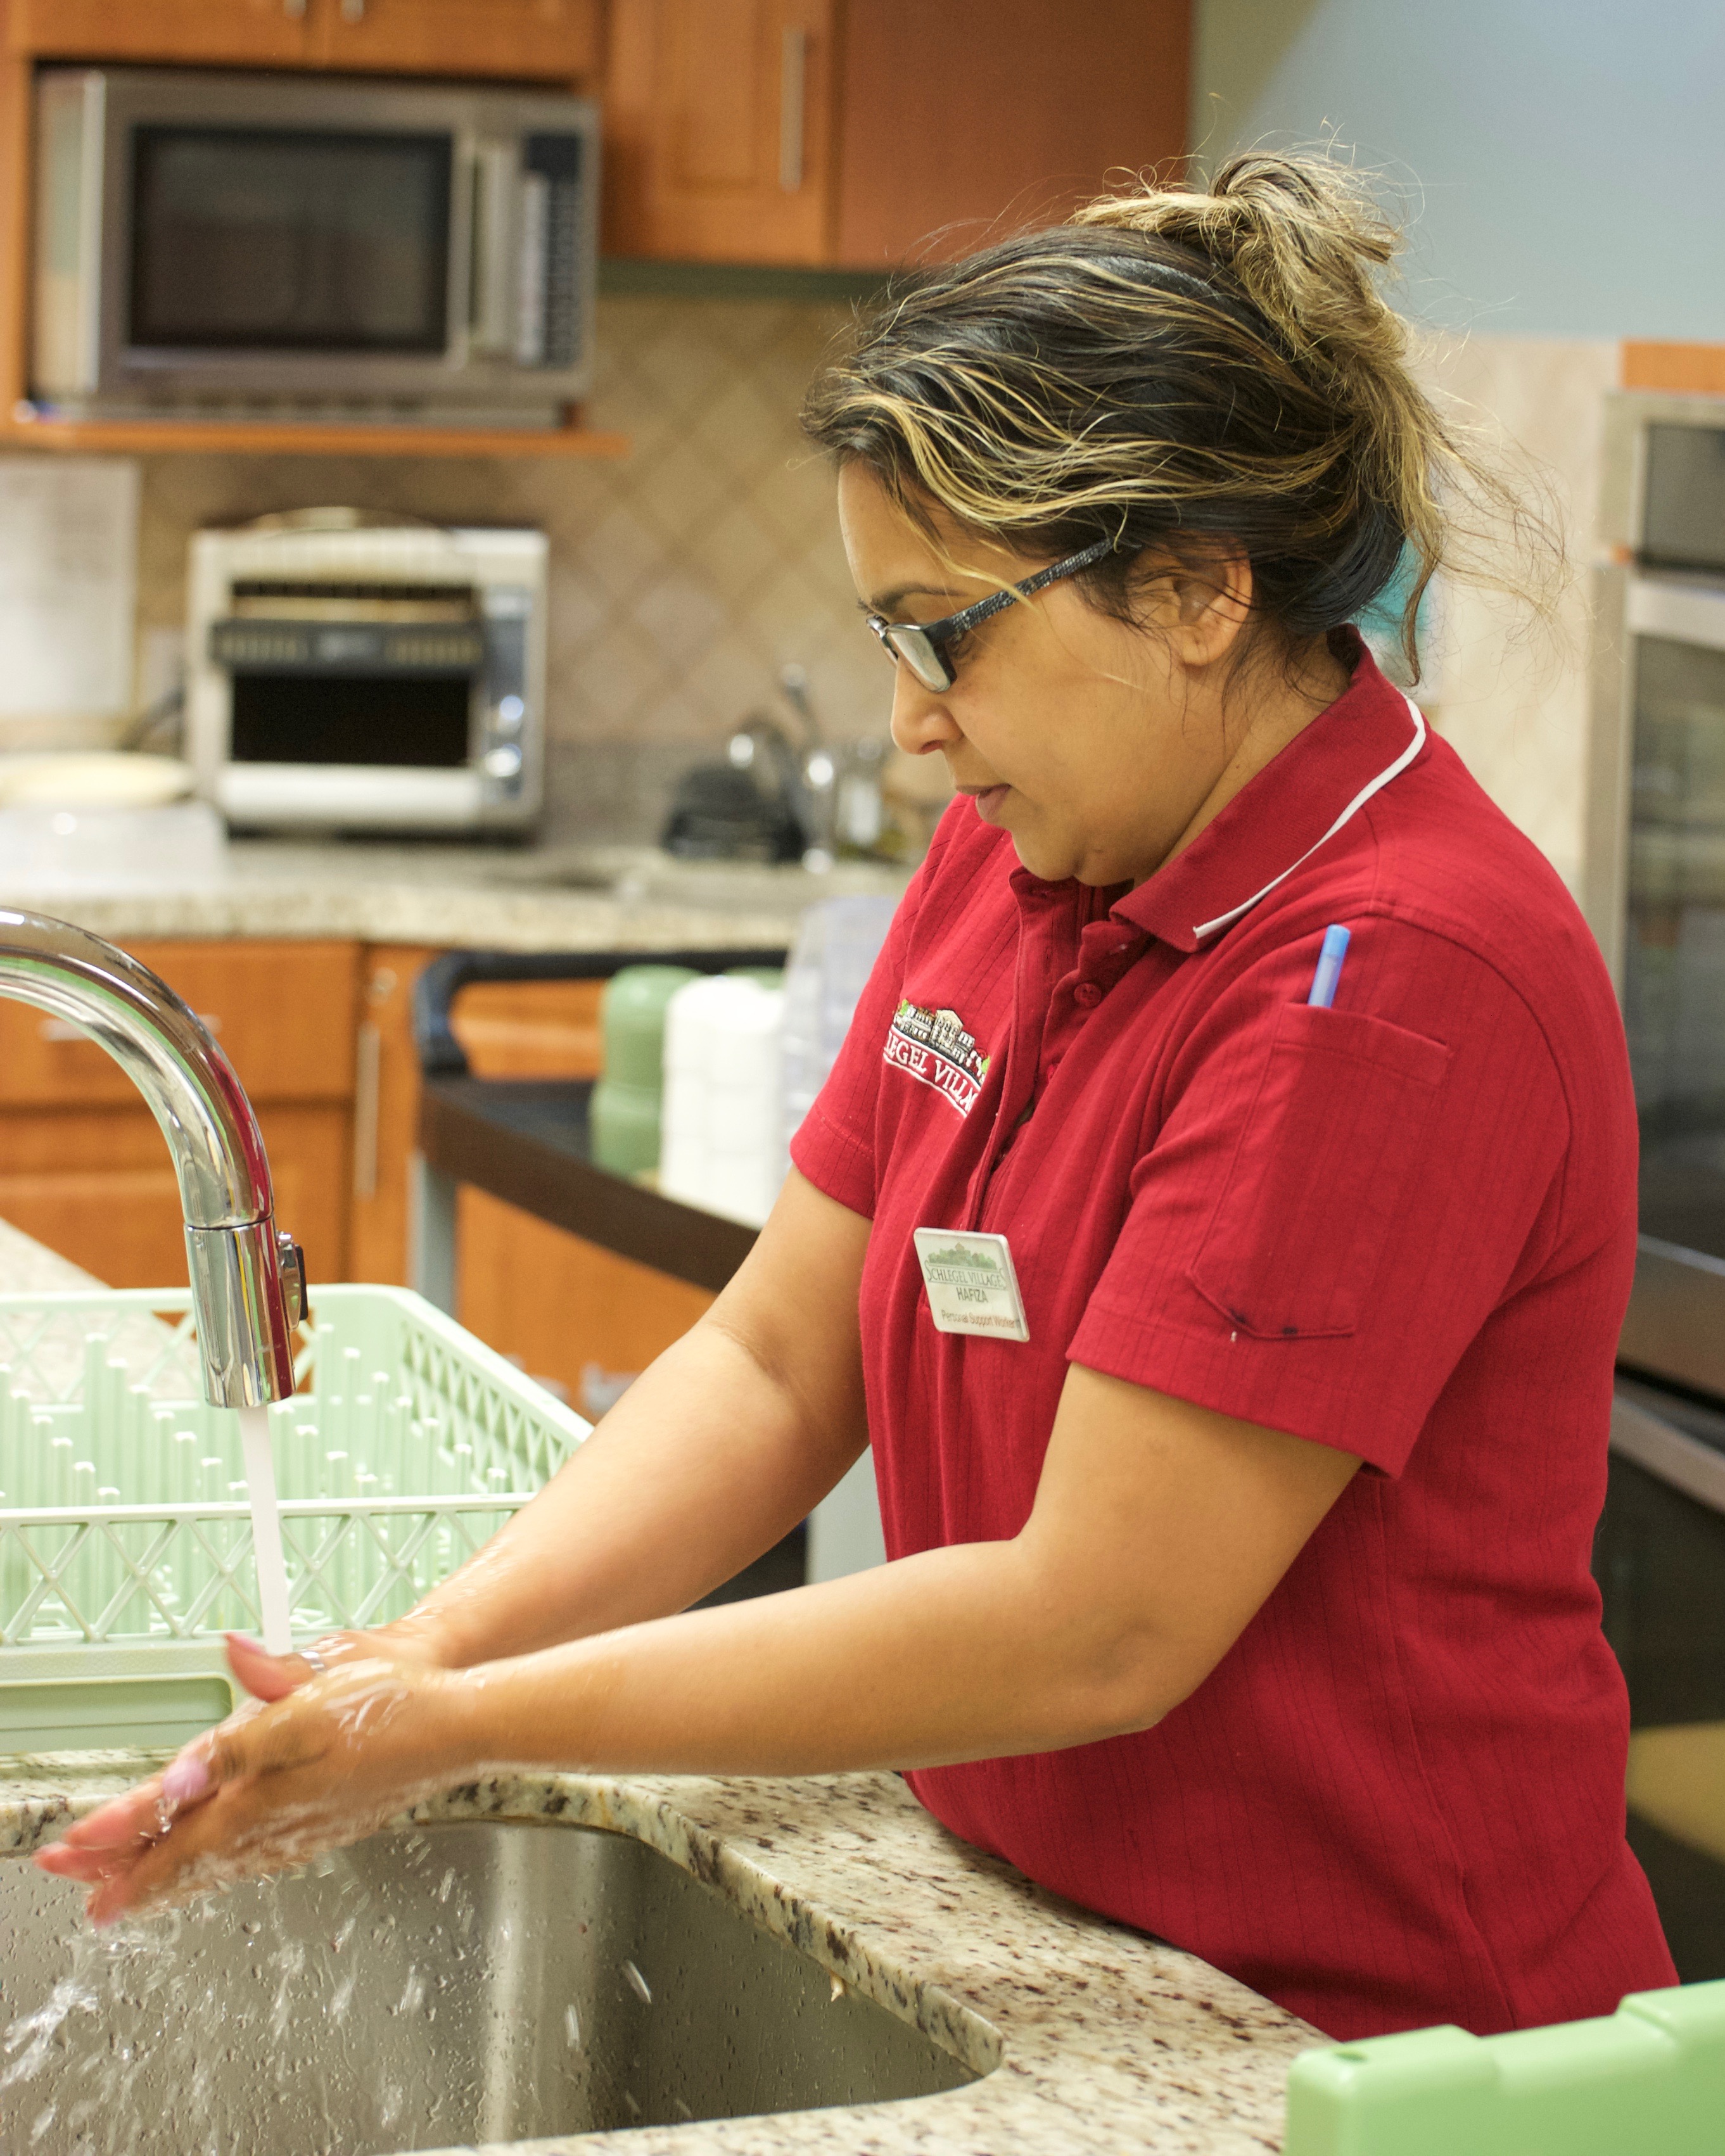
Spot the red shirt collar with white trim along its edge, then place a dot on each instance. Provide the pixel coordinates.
(1299, 801)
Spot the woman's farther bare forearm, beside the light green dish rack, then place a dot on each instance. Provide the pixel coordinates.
(700, 1469)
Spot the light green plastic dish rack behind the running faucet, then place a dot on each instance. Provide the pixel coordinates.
(126, 1538)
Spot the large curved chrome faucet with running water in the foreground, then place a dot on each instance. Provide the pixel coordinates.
(249, 1282)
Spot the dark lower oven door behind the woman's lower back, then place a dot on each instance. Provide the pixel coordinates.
(1661, 1566)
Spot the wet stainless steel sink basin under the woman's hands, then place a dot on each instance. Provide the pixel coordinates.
(456, 1985)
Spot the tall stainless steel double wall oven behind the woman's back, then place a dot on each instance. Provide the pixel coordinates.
(1657, 900)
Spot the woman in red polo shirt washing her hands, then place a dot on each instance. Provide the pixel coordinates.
(1237, 1364)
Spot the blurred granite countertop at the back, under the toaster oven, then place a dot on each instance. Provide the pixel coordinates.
(493, 898)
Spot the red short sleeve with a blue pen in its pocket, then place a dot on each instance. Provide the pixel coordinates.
(1338, 1200)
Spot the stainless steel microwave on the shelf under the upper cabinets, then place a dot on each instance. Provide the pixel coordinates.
(277, 247)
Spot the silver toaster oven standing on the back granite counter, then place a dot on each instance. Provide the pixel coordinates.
(350, 674)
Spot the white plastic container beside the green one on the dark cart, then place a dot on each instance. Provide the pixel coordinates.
(723, 1114)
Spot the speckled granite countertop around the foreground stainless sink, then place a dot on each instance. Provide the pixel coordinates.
(1088, 2036)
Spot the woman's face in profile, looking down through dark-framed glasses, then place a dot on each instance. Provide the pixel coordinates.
(1096, 745)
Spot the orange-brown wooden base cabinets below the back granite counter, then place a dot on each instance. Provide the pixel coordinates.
(322, 1040)
